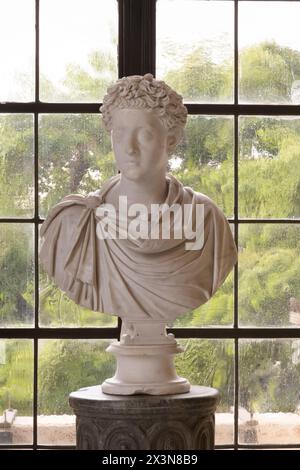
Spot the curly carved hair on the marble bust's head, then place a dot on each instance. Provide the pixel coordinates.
(145, 92)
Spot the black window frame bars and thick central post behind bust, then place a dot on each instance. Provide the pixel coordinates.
(136, 55)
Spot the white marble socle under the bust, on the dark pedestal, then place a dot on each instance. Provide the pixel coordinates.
(145, 361)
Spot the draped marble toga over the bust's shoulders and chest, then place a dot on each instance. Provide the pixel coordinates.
(135, 278)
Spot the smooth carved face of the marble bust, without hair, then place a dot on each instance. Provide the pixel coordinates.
(140, 142)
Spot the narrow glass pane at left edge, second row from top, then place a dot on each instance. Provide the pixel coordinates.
(16, 165)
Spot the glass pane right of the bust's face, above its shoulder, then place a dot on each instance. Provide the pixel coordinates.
(204, 159)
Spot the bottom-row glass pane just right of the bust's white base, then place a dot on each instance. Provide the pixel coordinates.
(210, 363)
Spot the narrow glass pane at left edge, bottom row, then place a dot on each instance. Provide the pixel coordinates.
(16, 391)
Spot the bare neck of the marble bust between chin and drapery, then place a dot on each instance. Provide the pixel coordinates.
(152, 191)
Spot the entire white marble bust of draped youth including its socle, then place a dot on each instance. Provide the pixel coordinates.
(112, 256)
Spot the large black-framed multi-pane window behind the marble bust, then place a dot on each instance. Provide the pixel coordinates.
(237, 65)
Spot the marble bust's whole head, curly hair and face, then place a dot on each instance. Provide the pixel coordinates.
(146, 119)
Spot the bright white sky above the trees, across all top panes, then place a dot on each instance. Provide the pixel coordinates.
(70, 29)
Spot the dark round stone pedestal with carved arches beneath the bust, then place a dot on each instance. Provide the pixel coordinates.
(142, 422)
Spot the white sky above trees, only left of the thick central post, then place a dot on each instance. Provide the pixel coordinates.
(69, 31)
